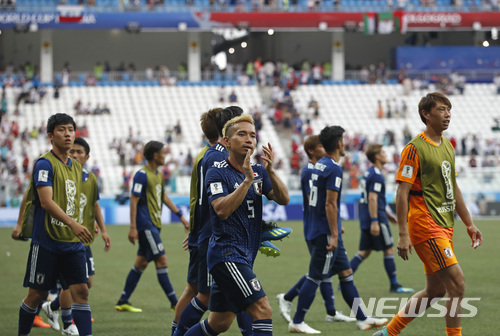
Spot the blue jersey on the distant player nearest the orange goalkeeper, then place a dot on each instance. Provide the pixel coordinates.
(373, 181)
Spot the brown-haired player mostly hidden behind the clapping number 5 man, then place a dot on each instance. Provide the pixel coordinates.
(209, 127)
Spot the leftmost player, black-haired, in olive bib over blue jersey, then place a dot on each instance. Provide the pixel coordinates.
(57, 251)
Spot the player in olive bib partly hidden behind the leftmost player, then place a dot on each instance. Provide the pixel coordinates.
(90, 214)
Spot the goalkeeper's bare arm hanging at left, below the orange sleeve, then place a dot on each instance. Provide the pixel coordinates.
(404, 243)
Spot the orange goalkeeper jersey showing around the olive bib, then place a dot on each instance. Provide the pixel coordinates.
(421, 225)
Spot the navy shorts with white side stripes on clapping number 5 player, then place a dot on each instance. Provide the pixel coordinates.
(235, 288)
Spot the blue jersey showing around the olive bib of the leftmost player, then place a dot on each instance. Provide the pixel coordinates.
(43, 175)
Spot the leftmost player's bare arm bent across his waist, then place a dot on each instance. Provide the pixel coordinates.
(54, 210)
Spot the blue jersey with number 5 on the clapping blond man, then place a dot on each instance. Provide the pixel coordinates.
(237, 238)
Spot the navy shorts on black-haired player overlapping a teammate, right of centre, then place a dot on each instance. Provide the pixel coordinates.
(325, 263)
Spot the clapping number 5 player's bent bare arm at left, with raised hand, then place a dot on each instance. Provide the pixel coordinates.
(226, 205)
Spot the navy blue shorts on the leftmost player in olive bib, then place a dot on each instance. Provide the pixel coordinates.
(44, 268)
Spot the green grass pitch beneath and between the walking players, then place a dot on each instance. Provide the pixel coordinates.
(276, 275)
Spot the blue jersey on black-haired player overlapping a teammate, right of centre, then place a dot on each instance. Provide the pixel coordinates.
(327, 175)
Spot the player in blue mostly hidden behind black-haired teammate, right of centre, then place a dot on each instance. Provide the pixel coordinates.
(315, 151)
